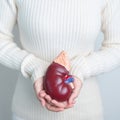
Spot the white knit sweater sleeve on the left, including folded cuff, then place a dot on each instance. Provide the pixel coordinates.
(10, 54)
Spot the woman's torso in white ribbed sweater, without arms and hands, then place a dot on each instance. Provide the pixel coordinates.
(46, 28)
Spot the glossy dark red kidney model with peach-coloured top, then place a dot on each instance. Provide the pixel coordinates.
(57, 79)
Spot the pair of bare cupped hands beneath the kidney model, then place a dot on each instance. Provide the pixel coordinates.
(52, 104)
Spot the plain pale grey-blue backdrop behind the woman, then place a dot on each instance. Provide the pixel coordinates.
(109, 85)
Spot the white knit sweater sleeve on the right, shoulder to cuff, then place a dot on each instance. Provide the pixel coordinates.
(108, 56)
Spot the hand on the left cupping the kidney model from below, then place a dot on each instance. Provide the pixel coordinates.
(45, 99)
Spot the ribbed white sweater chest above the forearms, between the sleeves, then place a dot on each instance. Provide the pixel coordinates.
(48, 27)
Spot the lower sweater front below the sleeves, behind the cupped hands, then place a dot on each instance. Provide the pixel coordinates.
(88, 104)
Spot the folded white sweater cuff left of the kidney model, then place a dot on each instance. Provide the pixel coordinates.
(32, 67)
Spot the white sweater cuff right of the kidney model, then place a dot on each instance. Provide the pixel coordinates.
(79, 67)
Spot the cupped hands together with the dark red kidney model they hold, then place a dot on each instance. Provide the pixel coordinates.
(58, 90)
